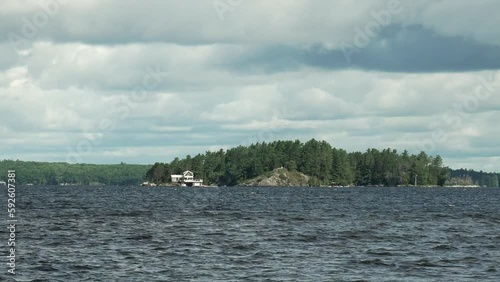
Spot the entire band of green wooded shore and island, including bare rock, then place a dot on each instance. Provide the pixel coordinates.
(279, 163)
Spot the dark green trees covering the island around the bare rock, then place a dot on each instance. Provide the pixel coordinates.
(324, 164)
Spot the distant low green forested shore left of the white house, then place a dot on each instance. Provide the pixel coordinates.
(82, 174)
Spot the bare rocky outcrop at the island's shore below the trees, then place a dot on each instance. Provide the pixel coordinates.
(279, 177)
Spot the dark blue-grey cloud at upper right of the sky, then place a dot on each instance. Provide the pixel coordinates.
(396, 49)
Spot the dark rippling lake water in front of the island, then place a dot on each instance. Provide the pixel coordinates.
(255, 234)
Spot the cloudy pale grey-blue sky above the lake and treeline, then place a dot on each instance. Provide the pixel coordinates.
(146, 81)
